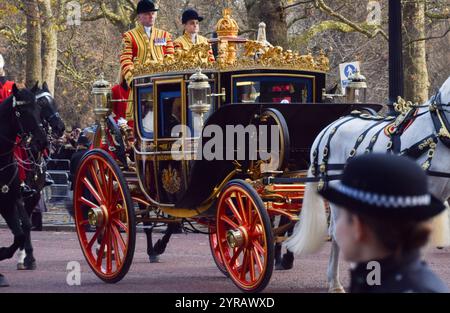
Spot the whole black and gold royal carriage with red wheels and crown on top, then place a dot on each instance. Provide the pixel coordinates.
(200, 154)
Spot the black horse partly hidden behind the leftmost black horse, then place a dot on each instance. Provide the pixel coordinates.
(35, 163)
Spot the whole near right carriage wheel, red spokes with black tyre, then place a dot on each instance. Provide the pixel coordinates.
(245, 237)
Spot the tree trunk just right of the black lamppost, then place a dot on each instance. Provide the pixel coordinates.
(415, 59)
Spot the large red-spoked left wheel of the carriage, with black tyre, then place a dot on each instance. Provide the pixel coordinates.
(104, 216)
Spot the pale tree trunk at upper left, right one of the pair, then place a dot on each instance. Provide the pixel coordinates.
(50, 44)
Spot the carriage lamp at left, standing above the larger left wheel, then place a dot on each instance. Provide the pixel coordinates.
(101, 90)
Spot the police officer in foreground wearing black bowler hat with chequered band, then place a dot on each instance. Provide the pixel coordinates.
(383, 211)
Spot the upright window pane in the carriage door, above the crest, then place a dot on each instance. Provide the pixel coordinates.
(169, 109)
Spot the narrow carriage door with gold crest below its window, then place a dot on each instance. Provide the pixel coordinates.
(171, 113)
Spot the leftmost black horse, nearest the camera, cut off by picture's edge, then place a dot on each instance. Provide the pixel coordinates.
(19, 116)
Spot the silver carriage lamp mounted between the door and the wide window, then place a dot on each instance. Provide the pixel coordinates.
(199, 92)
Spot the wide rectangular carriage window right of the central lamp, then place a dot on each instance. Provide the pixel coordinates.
(273, 90)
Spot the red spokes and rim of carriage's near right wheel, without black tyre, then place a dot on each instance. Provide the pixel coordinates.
(247, 262)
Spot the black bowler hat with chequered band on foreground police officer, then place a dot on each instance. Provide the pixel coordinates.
(384, 186)
